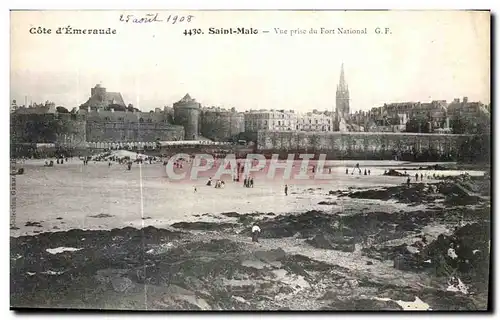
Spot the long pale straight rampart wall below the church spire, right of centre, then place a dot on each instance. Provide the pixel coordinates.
(364, 145)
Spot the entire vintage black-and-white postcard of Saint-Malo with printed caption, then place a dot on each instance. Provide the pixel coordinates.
(250, 160)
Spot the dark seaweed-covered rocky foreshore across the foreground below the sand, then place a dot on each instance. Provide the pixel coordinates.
(314, 260)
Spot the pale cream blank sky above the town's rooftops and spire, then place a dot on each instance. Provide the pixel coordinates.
(428, 55)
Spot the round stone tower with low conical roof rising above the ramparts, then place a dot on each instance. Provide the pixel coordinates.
(186, 114)
